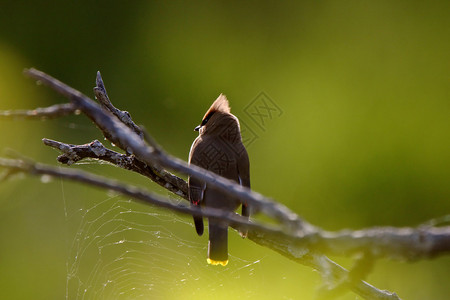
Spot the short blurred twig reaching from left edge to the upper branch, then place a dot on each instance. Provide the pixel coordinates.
(54, 111)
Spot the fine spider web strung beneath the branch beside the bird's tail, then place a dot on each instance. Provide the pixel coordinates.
(125, 250)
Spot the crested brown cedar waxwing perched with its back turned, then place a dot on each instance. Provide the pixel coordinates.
(219, 149)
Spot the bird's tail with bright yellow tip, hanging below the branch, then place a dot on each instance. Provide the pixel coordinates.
(218, 244)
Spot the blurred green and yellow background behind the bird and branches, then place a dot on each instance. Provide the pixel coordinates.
(363, 138)
